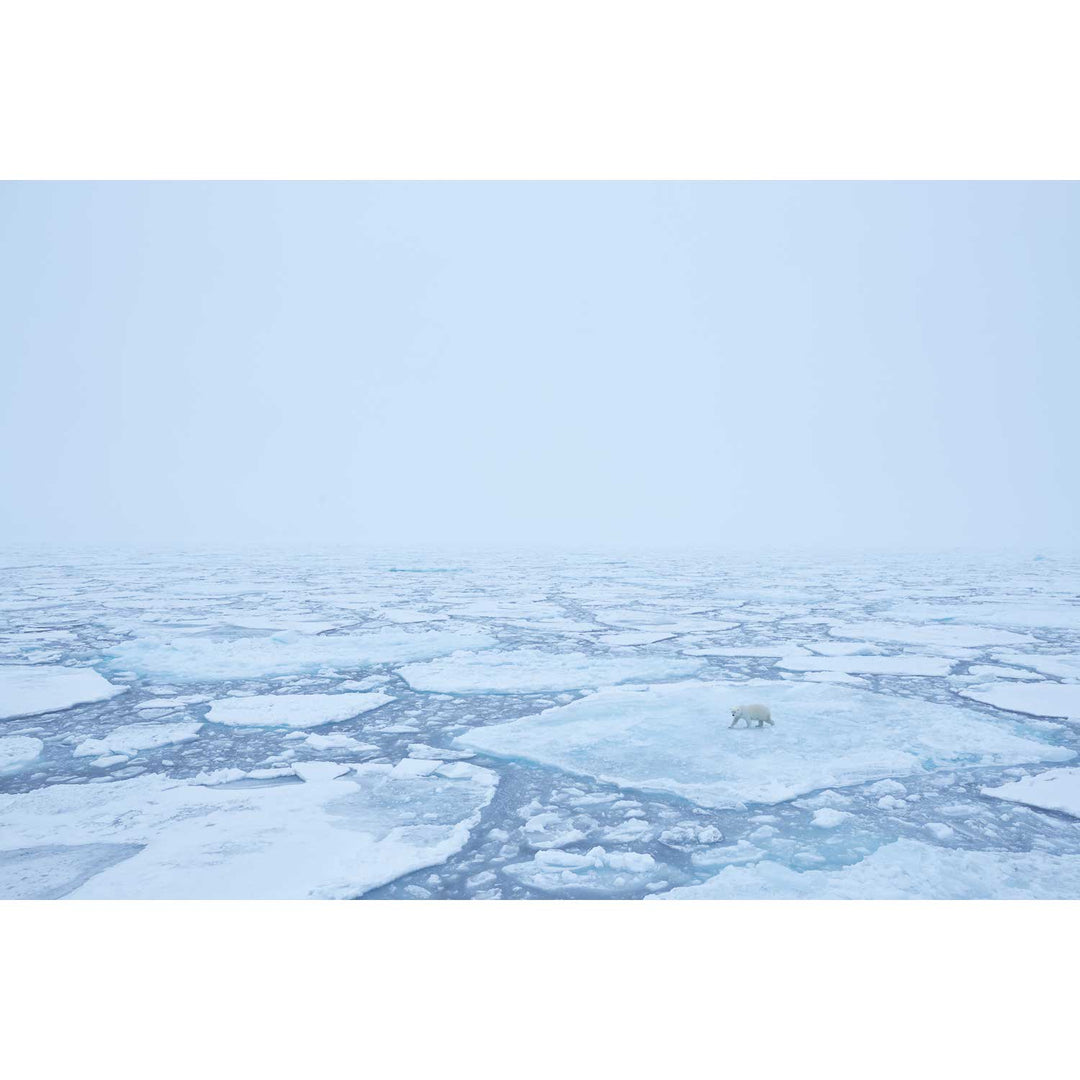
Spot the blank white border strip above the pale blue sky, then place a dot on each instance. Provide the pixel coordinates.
(565, 89)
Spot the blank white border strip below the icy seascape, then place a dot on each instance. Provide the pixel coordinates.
(538, 990)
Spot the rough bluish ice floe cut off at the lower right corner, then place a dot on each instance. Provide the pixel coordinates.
(907, 870)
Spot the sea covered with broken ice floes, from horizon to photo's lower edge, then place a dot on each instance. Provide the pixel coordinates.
(416, 725)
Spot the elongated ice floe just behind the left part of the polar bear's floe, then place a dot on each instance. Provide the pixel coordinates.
(533, 671)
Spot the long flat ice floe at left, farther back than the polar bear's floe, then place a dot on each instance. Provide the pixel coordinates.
(185, 657)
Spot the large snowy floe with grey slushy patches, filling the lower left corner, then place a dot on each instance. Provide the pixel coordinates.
(151, 838)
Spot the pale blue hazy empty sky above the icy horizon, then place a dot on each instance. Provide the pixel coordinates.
(730, 364)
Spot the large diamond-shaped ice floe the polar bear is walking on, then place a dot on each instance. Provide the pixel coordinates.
(676, 738)
